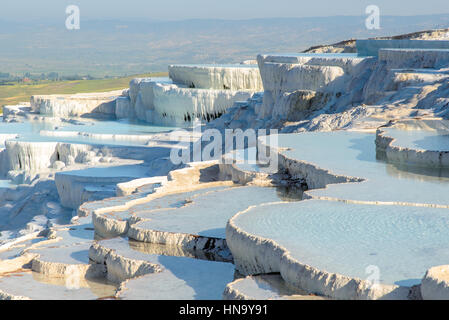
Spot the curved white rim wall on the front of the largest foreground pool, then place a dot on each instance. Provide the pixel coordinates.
(255, 254)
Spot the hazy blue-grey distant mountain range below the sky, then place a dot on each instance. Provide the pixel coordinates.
(116, 47)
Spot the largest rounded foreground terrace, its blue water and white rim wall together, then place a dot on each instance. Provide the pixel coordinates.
(332, 248)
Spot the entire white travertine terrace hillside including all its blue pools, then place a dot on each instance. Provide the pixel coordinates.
(350, 202)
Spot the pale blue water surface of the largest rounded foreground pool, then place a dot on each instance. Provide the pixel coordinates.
(403, 242)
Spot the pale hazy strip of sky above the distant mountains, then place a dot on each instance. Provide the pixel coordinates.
(217, 9)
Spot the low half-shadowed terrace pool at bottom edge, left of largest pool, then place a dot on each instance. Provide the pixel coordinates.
(155, 276)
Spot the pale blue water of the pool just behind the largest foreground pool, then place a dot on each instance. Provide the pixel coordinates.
(354, 154)
